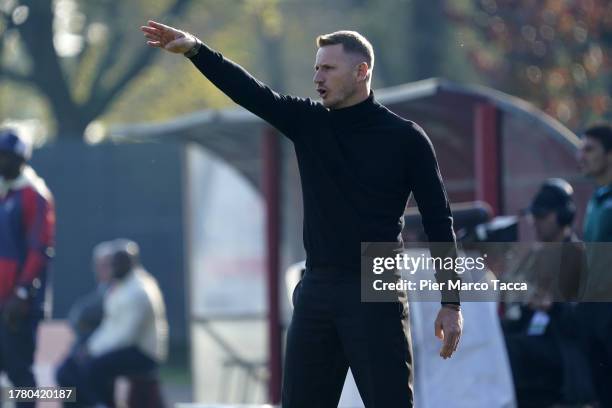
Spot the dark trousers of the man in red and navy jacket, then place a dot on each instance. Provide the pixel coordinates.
(17, 346)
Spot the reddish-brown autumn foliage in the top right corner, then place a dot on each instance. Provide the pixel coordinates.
(555, 53)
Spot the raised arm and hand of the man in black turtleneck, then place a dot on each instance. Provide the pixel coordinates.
(280, 111)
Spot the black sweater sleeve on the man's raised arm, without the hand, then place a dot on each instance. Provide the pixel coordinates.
(281, 111)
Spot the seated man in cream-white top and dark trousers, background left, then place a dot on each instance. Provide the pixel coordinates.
(132, 338)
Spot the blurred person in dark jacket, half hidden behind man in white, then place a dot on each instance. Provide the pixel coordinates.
(86, 315)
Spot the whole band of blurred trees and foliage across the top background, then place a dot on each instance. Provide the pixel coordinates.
(72, 63)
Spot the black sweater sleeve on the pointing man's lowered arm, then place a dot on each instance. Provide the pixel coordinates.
(432, 201)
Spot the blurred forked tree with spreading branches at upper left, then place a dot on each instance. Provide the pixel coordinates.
(78, 62)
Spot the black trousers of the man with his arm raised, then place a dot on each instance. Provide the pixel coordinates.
(332, 330)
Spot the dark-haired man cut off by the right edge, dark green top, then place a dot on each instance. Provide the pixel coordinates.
(595, 159)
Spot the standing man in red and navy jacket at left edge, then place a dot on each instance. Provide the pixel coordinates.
(27, 223)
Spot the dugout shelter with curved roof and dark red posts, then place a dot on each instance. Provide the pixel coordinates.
(491, 147)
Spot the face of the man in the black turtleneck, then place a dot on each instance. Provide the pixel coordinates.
(338, 76)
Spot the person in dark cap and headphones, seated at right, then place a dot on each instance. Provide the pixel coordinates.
(548, 364)
